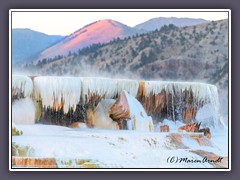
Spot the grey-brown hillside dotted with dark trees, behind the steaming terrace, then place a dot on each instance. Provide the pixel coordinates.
(194, 53)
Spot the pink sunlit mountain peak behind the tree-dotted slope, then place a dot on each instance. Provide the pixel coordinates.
(98, 32)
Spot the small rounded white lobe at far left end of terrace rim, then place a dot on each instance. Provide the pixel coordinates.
(21, 86)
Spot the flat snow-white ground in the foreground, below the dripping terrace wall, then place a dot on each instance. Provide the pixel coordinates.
(115, 148)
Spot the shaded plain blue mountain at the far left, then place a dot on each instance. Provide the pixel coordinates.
(26, 42)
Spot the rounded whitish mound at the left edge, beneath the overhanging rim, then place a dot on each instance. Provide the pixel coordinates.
(23, 111)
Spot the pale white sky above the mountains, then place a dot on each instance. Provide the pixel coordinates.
(65, 23)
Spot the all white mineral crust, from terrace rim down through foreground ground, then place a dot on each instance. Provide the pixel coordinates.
(141, 146)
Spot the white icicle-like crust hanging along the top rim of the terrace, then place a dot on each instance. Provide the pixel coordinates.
(51, 87)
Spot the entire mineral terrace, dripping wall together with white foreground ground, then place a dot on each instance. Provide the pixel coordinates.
(126, 118)
